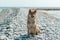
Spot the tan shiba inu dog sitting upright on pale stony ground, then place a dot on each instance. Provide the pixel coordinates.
(31, 23)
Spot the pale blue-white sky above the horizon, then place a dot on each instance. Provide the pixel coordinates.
(29, 3)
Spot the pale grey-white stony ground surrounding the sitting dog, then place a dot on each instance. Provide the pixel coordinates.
(13, 25)
